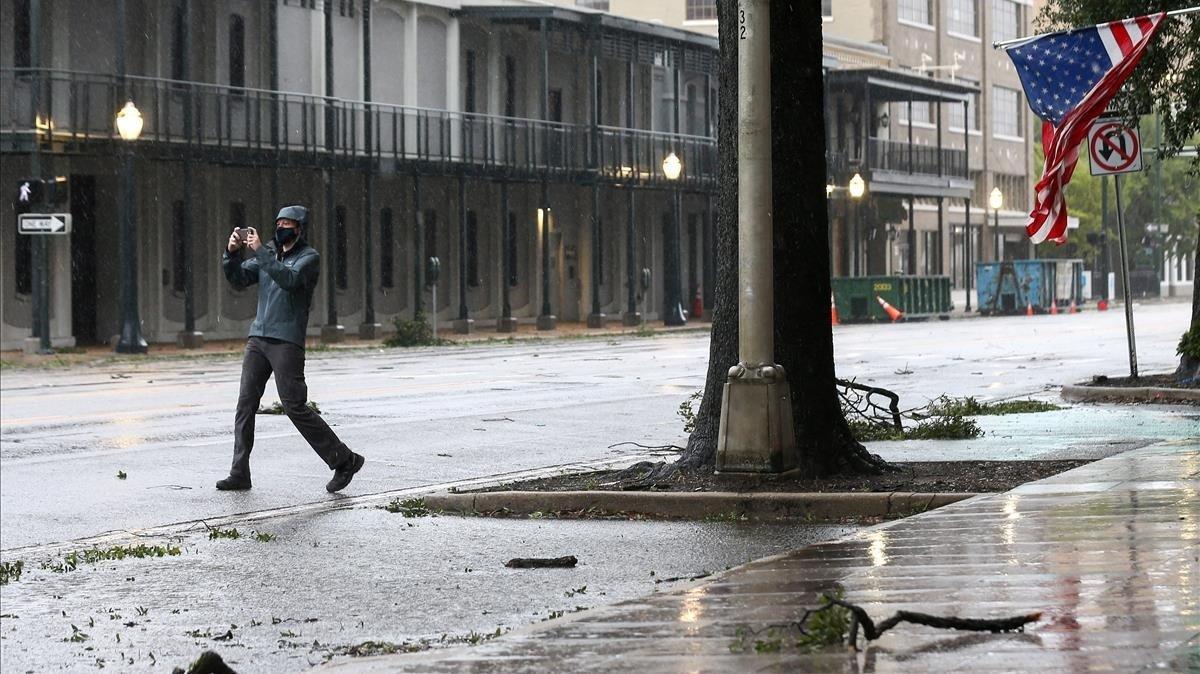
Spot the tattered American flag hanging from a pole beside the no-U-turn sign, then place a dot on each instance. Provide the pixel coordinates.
(1070, 79)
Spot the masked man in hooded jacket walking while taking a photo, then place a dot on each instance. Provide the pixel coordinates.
(286, 272)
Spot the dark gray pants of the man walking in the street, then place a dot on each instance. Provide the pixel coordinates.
(286, 360)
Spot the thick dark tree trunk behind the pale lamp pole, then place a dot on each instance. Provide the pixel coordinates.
(803, 335)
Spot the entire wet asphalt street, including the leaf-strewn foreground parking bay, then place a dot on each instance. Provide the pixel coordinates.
(427, 419)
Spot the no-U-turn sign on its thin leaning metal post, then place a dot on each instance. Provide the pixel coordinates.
(1114, 149)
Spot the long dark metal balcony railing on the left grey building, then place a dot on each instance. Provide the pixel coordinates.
(309, 129)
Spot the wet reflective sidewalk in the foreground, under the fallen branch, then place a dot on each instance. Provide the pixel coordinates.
(1109, 553)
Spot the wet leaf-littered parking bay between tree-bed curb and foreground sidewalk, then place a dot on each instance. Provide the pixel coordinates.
(340, 579)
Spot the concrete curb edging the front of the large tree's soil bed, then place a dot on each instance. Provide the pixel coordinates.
(698, 505)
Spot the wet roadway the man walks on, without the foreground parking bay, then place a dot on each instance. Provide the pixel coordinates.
(427, 418)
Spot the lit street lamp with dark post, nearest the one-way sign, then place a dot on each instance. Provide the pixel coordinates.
(129, 125)
